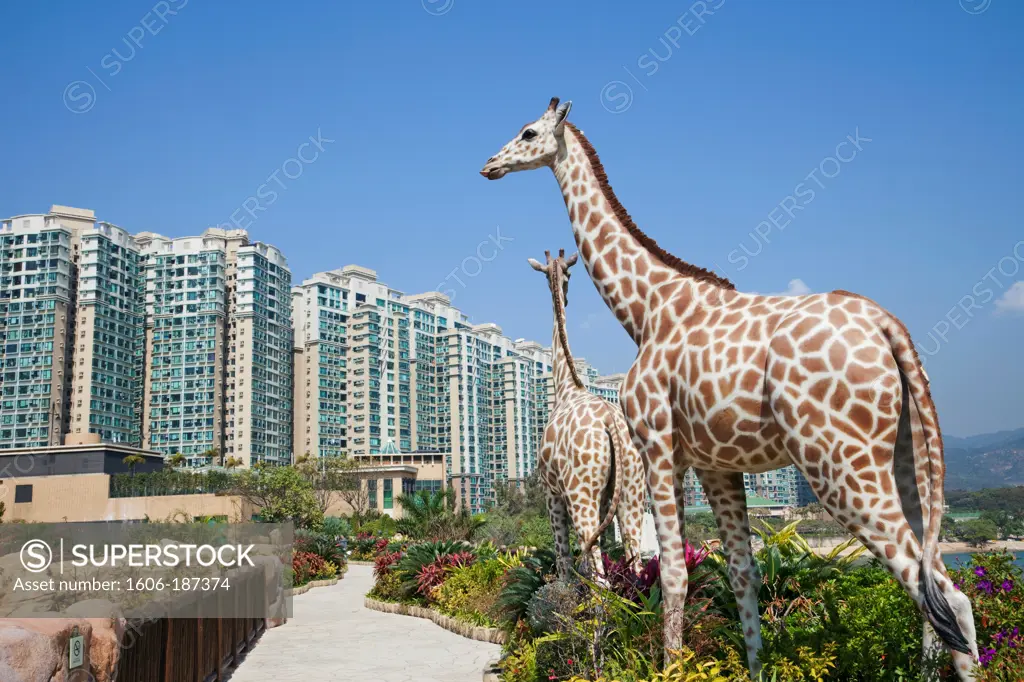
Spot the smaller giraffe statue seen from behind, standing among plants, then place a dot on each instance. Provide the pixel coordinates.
(586, 445)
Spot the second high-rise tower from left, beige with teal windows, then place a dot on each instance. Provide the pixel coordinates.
(219, 340)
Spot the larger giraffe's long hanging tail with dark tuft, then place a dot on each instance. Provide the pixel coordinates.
(937, 608)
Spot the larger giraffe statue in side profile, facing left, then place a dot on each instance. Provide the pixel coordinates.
(728, 383)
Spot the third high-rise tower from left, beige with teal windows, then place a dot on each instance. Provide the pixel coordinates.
(366, 362)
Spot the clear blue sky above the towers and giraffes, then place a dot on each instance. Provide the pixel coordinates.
(705, 125)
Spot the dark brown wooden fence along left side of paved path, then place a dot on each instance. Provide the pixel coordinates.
(196, 649)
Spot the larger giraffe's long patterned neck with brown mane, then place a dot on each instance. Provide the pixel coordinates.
(626, 266)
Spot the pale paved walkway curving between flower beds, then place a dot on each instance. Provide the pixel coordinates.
(334, 637)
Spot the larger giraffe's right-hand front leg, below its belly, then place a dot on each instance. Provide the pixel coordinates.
(729, 501)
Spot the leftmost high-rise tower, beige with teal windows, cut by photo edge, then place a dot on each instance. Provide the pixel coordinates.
(71, 345)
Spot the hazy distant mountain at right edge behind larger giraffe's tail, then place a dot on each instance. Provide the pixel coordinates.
(988, 460)
